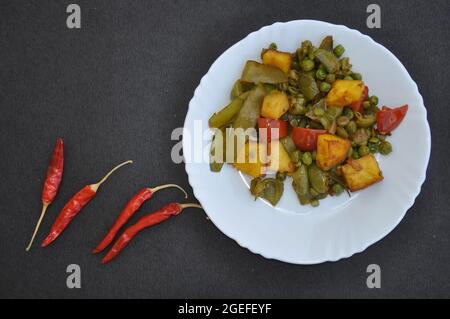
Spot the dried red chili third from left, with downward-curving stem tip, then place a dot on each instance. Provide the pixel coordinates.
(131, 207)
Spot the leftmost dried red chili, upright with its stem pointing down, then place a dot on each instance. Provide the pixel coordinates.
(51, 184)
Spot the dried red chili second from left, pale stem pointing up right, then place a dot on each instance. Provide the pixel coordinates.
(74, 206)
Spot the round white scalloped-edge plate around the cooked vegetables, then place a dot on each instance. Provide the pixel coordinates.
(340, 226)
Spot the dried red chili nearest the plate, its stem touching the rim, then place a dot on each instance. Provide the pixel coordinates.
(157, 217)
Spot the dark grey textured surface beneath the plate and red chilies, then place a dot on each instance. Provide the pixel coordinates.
(115, 90)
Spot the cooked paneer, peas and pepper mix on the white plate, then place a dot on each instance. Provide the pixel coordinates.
(312, 119)
